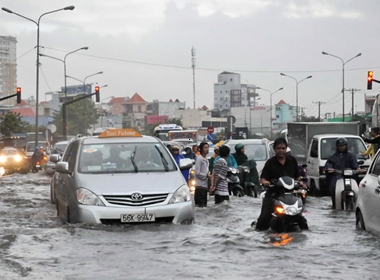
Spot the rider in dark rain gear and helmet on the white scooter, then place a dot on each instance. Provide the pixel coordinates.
(341, 159)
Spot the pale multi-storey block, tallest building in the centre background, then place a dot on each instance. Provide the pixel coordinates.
(229, 92)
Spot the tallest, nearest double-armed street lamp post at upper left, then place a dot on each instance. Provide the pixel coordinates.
(38, 54)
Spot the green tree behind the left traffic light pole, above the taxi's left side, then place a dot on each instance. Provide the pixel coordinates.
(80, 115)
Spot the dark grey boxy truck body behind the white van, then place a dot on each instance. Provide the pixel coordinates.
(299, 134)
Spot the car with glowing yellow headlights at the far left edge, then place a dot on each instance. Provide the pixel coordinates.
(12, 160)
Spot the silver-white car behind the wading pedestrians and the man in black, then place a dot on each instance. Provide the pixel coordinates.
(258, 149)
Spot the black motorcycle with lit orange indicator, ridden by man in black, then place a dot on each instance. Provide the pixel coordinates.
(288, 208)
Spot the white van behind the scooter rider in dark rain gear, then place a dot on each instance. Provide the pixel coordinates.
(321, 148)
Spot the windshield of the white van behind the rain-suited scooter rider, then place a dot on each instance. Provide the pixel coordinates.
(354, 145)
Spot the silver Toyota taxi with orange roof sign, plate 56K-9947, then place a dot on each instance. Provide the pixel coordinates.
(121, 177)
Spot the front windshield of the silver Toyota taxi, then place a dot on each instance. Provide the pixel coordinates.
(125, 158)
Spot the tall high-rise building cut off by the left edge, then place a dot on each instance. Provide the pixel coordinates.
(8, 68)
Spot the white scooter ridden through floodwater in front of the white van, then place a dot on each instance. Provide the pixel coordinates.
(346, 189)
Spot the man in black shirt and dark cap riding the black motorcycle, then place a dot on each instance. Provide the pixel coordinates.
(277, 166)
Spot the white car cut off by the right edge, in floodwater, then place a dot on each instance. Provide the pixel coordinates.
(368, 202)
